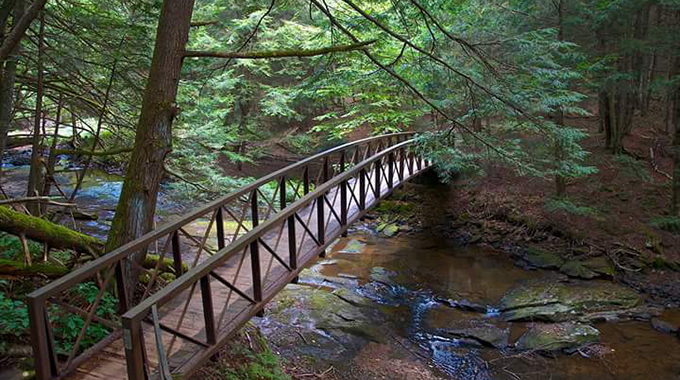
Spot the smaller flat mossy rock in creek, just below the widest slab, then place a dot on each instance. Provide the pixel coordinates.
(555, 337)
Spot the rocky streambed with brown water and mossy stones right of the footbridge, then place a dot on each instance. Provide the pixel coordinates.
(414, 307)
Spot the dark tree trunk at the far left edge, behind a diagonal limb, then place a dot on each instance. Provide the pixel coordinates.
(7, 84)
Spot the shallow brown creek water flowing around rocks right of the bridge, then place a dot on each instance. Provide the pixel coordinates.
(419, 271)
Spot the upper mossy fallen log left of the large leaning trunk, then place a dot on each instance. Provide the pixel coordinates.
(54, 235)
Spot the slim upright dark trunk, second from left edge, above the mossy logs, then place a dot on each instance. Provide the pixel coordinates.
(36, 174)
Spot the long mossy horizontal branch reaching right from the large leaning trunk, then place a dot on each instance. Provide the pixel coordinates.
(280, 53)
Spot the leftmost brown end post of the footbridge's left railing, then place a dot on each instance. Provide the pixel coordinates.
(45, 369)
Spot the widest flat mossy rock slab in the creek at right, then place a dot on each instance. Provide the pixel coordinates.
(549, 300)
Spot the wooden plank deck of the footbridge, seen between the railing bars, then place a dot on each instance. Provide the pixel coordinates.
(185, 314)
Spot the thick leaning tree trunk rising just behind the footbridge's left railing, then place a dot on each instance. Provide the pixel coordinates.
(137, 204)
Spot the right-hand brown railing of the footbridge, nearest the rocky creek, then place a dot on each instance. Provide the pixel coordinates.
(179, 327)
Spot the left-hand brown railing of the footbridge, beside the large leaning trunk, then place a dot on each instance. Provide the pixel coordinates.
(78, 315)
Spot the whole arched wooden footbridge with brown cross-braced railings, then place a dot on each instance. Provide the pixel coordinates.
(240, 251)
